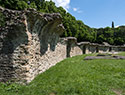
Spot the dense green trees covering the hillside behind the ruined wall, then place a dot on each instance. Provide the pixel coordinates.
(73, 27)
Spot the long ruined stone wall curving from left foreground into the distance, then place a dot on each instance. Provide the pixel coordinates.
(30, 44)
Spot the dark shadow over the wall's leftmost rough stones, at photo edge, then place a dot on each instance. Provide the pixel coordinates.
(9, 41)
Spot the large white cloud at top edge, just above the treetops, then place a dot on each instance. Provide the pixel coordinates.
(63, 3)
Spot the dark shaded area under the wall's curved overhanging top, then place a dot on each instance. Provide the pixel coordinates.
(48, 31)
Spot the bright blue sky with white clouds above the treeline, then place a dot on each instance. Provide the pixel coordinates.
(96, 13)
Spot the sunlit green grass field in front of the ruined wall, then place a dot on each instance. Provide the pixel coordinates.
(75, 76)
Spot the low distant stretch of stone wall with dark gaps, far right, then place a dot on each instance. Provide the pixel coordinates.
(89, 48)
